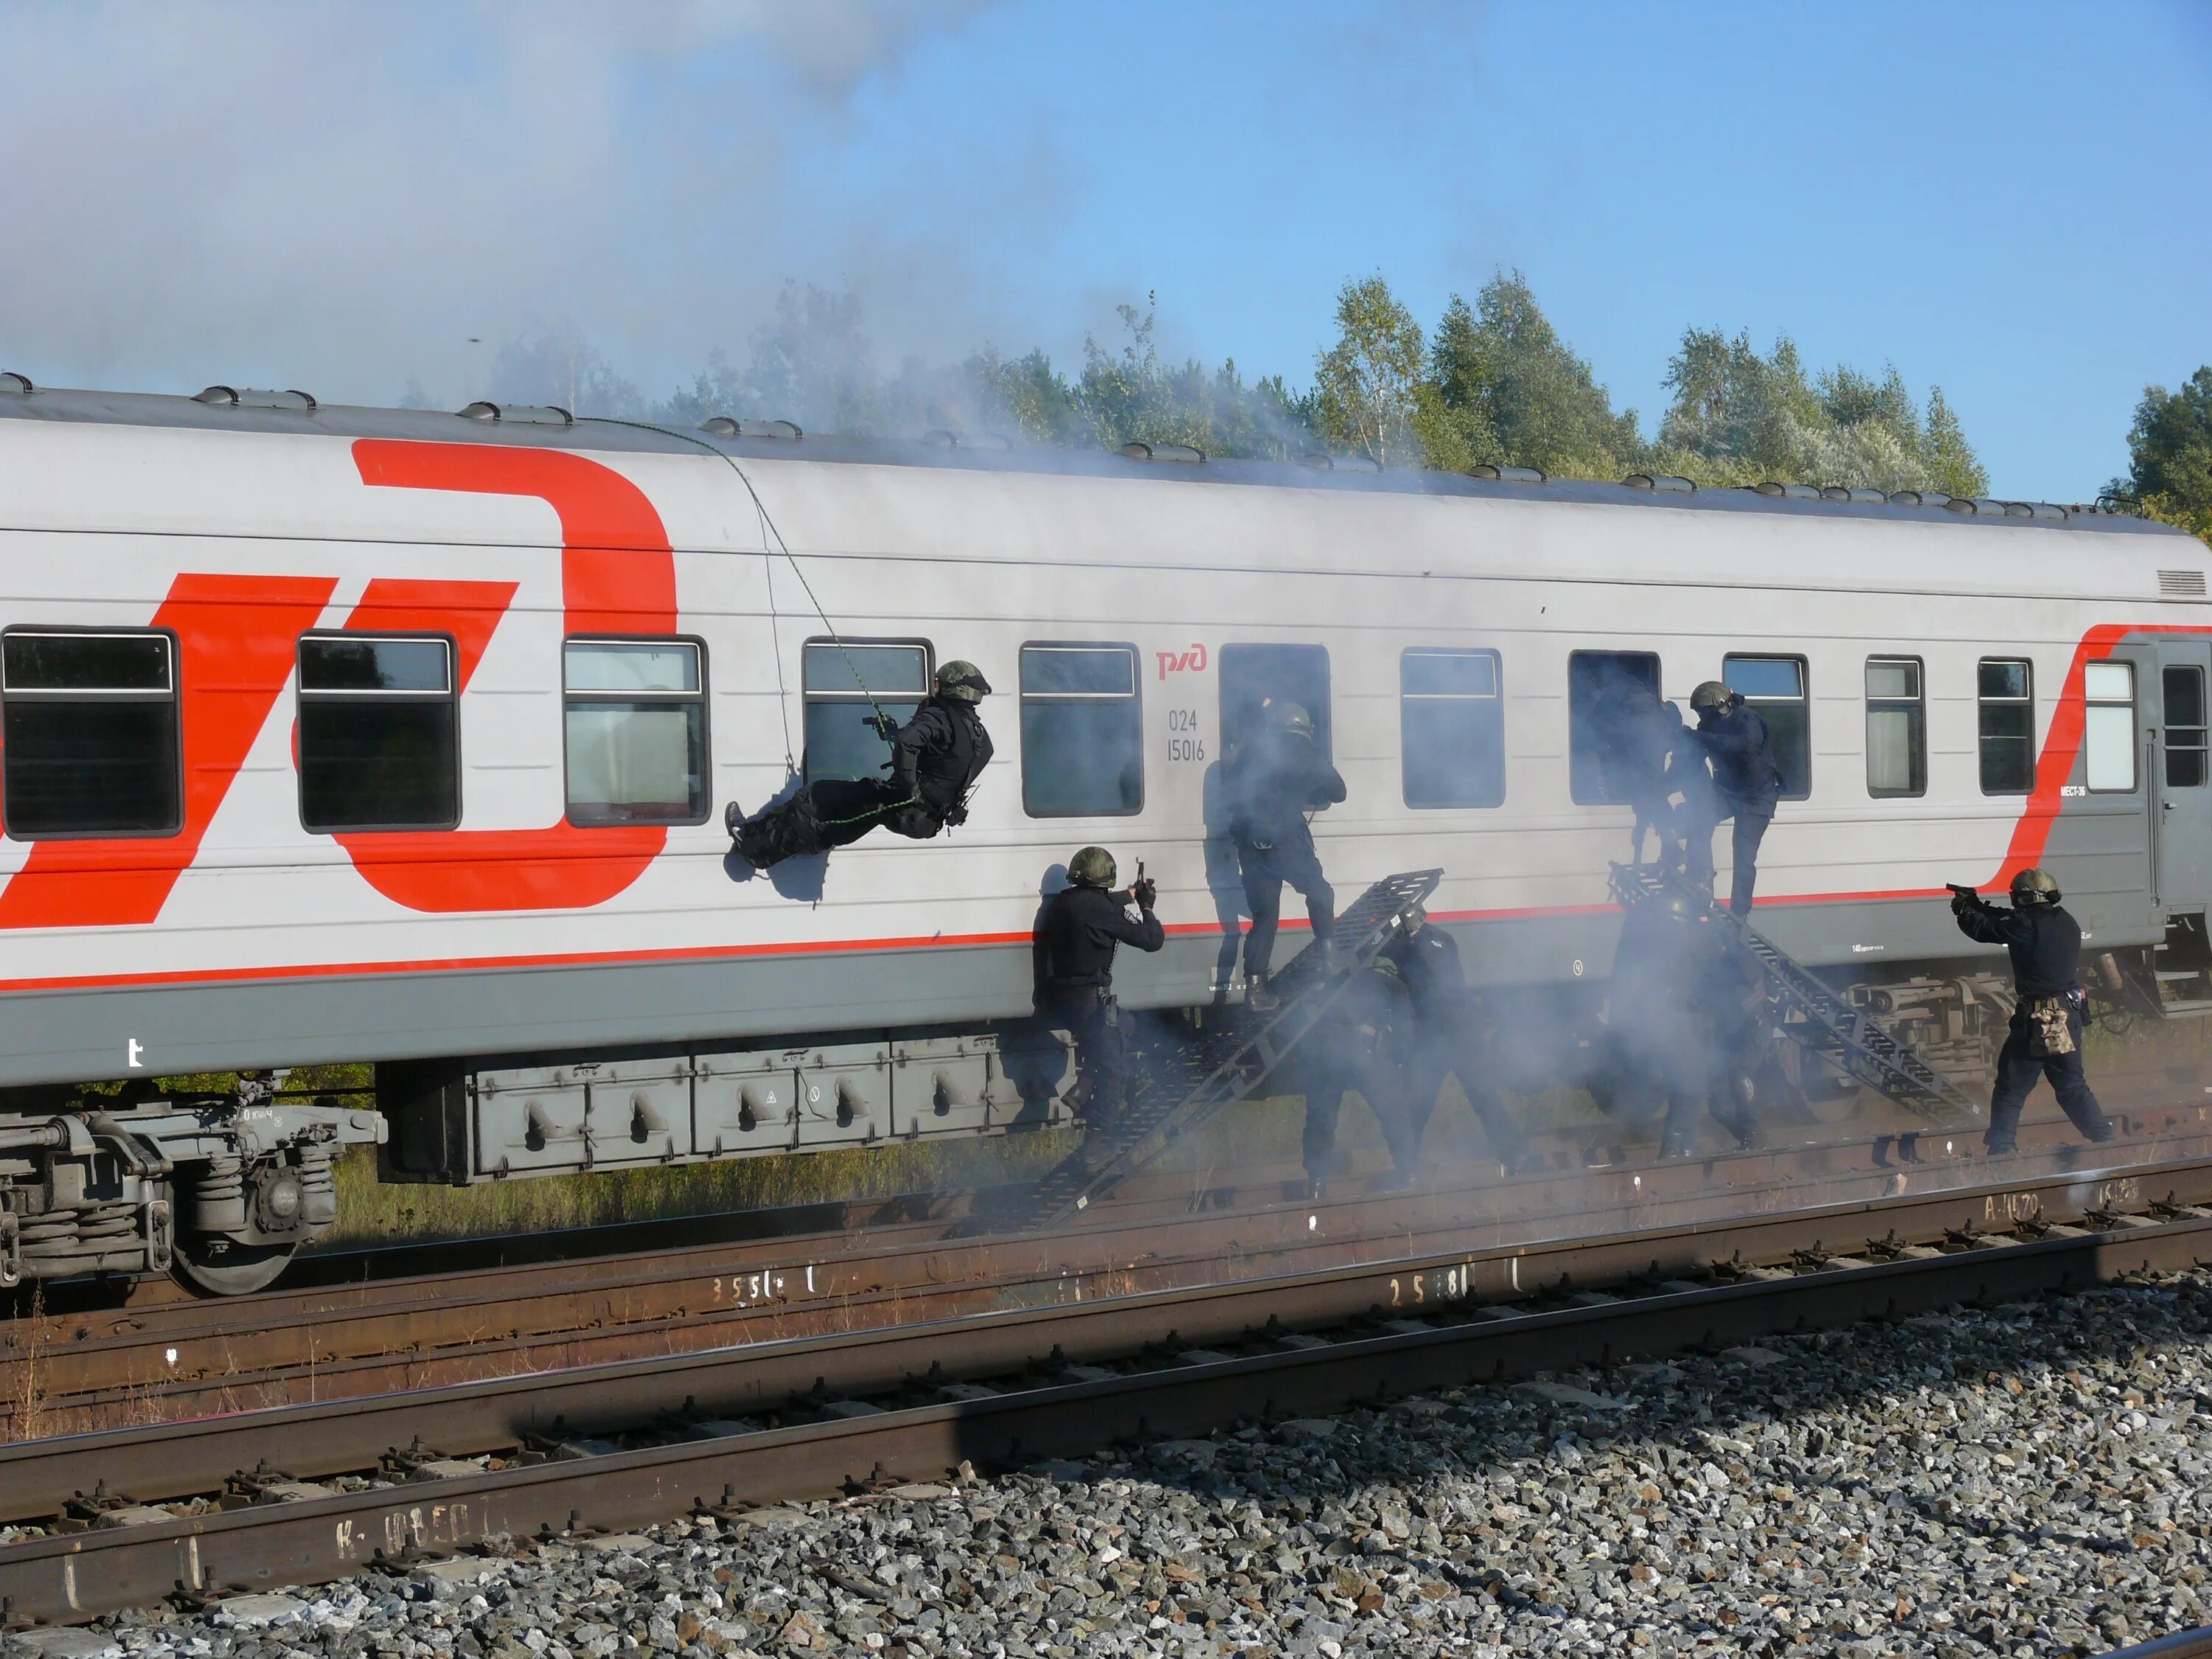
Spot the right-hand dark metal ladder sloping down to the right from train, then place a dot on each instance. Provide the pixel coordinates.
(1813, 1016)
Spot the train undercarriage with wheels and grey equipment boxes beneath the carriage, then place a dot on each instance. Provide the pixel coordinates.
(225, 1189)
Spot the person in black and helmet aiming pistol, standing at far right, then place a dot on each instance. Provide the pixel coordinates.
(2045, 1039)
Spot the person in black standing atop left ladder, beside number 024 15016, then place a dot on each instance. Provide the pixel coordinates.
(1271, 789)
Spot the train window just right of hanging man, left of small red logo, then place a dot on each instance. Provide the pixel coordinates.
(1083, 731)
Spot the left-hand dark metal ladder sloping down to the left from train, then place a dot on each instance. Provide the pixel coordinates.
(1235, 1065)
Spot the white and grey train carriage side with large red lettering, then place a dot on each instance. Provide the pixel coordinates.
(238, 937)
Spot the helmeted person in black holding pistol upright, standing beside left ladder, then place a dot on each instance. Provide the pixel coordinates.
(1074, 961)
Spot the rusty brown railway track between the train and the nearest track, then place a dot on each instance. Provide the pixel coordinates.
(145, 1364)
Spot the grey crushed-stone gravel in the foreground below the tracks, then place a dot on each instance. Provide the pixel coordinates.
(2023, 1481)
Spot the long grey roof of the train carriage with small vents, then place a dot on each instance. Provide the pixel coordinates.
(957, 452)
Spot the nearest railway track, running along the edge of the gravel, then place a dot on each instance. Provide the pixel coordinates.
(313, 1492)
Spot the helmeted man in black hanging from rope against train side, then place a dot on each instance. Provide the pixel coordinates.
(937, 760)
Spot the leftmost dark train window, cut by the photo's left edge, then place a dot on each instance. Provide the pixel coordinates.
(90, 735)
